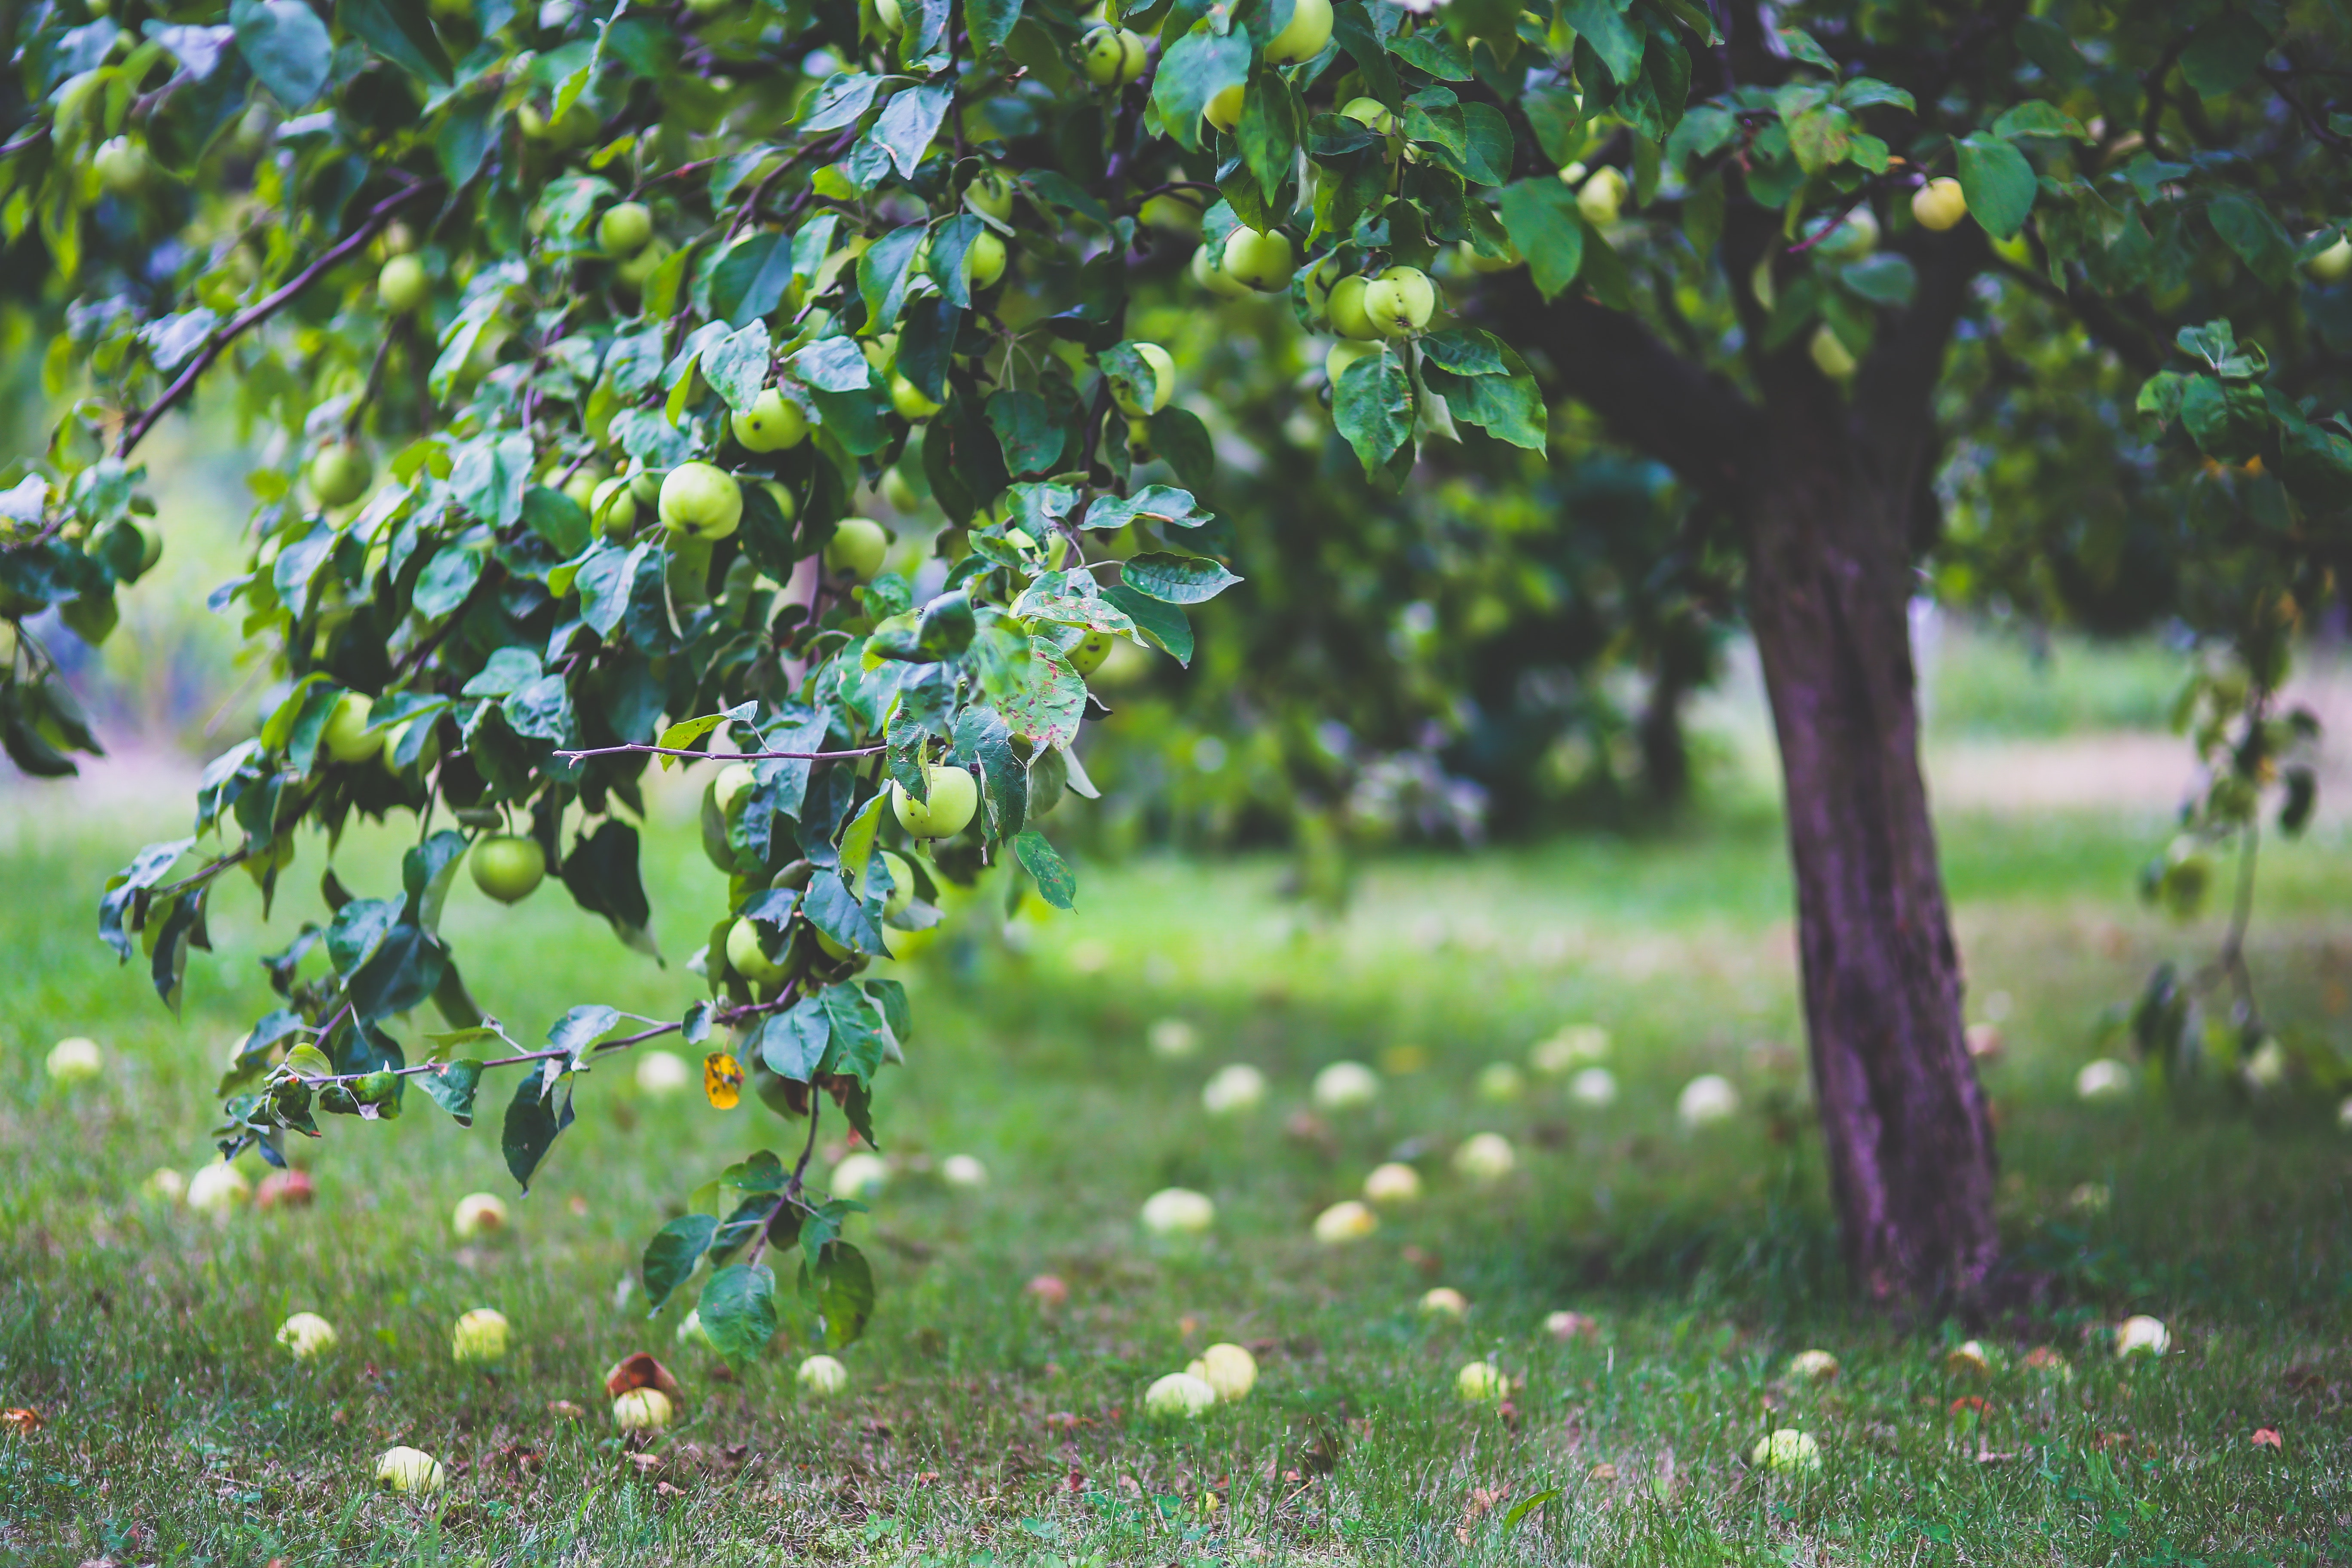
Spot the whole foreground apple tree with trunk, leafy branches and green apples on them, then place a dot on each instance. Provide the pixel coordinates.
(554, 264)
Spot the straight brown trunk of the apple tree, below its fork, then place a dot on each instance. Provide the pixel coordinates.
(1902, 1113)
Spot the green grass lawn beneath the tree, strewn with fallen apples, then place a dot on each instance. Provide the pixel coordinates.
(980, 1428)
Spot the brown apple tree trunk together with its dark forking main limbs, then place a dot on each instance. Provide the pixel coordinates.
(1826, 490)
